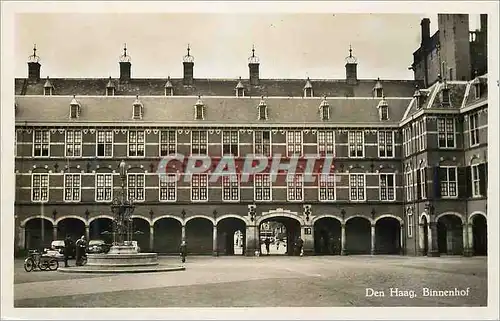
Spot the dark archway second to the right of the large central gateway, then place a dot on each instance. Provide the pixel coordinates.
(358, 235)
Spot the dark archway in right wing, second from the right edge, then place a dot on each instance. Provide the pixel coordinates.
(450, 235)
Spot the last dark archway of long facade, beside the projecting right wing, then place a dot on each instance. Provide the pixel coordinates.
(387, 236)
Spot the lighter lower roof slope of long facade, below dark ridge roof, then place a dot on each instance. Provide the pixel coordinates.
(218, 110)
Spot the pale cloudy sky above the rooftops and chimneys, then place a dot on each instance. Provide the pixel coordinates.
(86, 45)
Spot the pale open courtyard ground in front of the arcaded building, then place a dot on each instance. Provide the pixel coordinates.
(264, 282)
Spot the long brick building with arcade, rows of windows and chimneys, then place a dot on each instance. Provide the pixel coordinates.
(409, 176)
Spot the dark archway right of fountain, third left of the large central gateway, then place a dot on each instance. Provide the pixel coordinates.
(167, 235)
